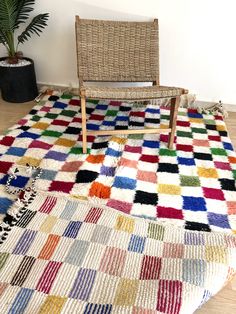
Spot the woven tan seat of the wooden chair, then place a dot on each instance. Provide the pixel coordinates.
(131, 93)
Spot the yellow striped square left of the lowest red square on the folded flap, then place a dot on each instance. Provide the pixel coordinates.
(126, 292)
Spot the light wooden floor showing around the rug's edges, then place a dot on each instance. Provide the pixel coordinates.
(225, 301)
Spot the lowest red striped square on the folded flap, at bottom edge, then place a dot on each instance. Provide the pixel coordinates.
(169, 296)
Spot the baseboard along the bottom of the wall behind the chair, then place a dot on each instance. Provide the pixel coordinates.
(75, 91)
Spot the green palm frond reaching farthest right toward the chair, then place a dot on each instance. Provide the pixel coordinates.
(35, 27)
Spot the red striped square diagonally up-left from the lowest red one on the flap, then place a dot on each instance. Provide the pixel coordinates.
(151, 267)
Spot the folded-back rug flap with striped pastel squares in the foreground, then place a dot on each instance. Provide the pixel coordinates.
(64, 256)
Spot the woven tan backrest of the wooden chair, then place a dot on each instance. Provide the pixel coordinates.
(116, 51)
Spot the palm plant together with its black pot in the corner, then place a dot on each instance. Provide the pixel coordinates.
(17, 74)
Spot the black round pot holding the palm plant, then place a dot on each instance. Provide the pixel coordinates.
(18, 84)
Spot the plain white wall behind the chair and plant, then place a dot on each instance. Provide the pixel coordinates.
(197, 41)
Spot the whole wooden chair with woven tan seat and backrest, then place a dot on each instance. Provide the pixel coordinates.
(114, 51)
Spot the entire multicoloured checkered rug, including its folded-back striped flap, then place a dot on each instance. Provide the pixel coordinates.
(131, 227)
